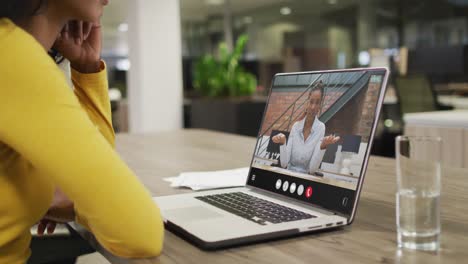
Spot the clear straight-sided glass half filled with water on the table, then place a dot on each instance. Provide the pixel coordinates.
(418, 192)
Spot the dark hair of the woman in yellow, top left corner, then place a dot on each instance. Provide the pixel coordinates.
(16, 10)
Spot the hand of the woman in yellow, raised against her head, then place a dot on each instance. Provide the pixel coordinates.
(80, 42)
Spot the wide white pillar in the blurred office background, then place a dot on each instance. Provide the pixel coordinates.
(155, 76)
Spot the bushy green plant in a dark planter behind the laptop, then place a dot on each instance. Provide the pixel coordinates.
(226, 89)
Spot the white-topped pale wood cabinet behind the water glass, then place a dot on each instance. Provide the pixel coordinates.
(451, 126)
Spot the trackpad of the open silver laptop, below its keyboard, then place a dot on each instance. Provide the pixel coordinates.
(191, 214)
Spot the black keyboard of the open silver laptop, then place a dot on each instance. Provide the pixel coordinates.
(254, 209)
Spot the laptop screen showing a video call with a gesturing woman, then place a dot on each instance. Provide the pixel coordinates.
(316, 134)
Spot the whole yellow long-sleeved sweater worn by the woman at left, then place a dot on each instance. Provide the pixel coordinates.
(53, 137)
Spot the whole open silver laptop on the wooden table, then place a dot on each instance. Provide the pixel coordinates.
(291, 189)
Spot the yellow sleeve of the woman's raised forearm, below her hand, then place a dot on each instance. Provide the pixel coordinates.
(92, 92)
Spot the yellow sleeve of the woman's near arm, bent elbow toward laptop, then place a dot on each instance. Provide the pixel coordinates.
(42, 120)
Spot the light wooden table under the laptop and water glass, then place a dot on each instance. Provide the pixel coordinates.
(371, 238)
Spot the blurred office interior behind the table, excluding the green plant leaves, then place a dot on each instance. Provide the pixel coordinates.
(152, 49)
